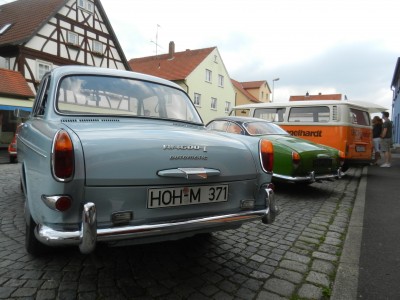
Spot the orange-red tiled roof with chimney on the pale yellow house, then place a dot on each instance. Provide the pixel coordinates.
(176, 66)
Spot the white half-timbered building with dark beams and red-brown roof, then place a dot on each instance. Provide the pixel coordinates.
(38, 35)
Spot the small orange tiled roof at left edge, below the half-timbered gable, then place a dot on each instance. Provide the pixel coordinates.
(13, 83)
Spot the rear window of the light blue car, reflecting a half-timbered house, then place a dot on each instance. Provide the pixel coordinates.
(116, 96)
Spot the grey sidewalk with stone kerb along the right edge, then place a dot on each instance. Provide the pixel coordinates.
(369, 267)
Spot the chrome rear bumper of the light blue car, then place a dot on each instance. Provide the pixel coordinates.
(89, 234)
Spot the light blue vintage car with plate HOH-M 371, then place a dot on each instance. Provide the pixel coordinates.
(123, 158)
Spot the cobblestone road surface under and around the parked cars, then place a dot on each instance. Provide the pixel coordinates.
(295, 258)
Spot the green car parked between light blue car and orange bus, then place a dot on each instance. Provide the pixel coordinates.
(295, 159)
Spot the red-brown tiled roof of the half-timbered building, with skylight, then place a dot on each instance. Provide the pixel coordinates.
(26, 18)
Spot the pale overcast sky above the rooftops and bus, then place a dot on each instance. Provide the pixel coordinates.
(320, 46)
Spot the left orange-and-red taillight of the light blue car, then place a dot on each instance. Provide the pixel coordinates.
(63, 156)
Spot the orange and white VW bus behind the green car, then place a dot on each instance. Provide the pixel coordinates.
(344, 125)
